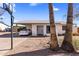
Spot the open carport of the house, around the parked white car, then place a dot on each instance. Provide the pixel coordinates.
(19, 26)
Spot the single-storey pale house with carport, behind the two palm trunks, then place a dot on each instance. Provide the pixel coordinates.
(41, 27)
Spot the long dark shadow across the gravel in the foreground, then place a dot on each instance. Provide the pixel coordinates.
(44, 52)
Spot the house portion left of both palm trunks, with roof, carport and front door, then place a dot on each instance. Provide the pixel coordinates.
(37, 27)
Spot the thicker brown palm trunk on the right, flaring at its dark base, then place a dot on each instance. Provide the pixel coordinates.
(67, 43)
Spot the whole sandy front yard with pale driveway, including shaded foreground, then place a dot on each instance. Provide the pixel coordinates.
(32, 46)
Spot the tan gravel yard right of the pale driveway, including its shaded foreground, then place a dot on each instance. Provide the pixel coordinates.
(37, 47)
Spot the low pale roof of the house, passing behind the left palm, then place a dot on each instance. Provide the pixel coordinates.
(36, 22)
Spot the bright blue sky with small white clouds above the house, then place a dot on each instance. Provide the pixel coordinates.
(30, 11)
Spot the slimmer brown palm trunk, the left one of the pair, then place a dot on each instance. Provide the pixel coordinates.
(54, 42)
